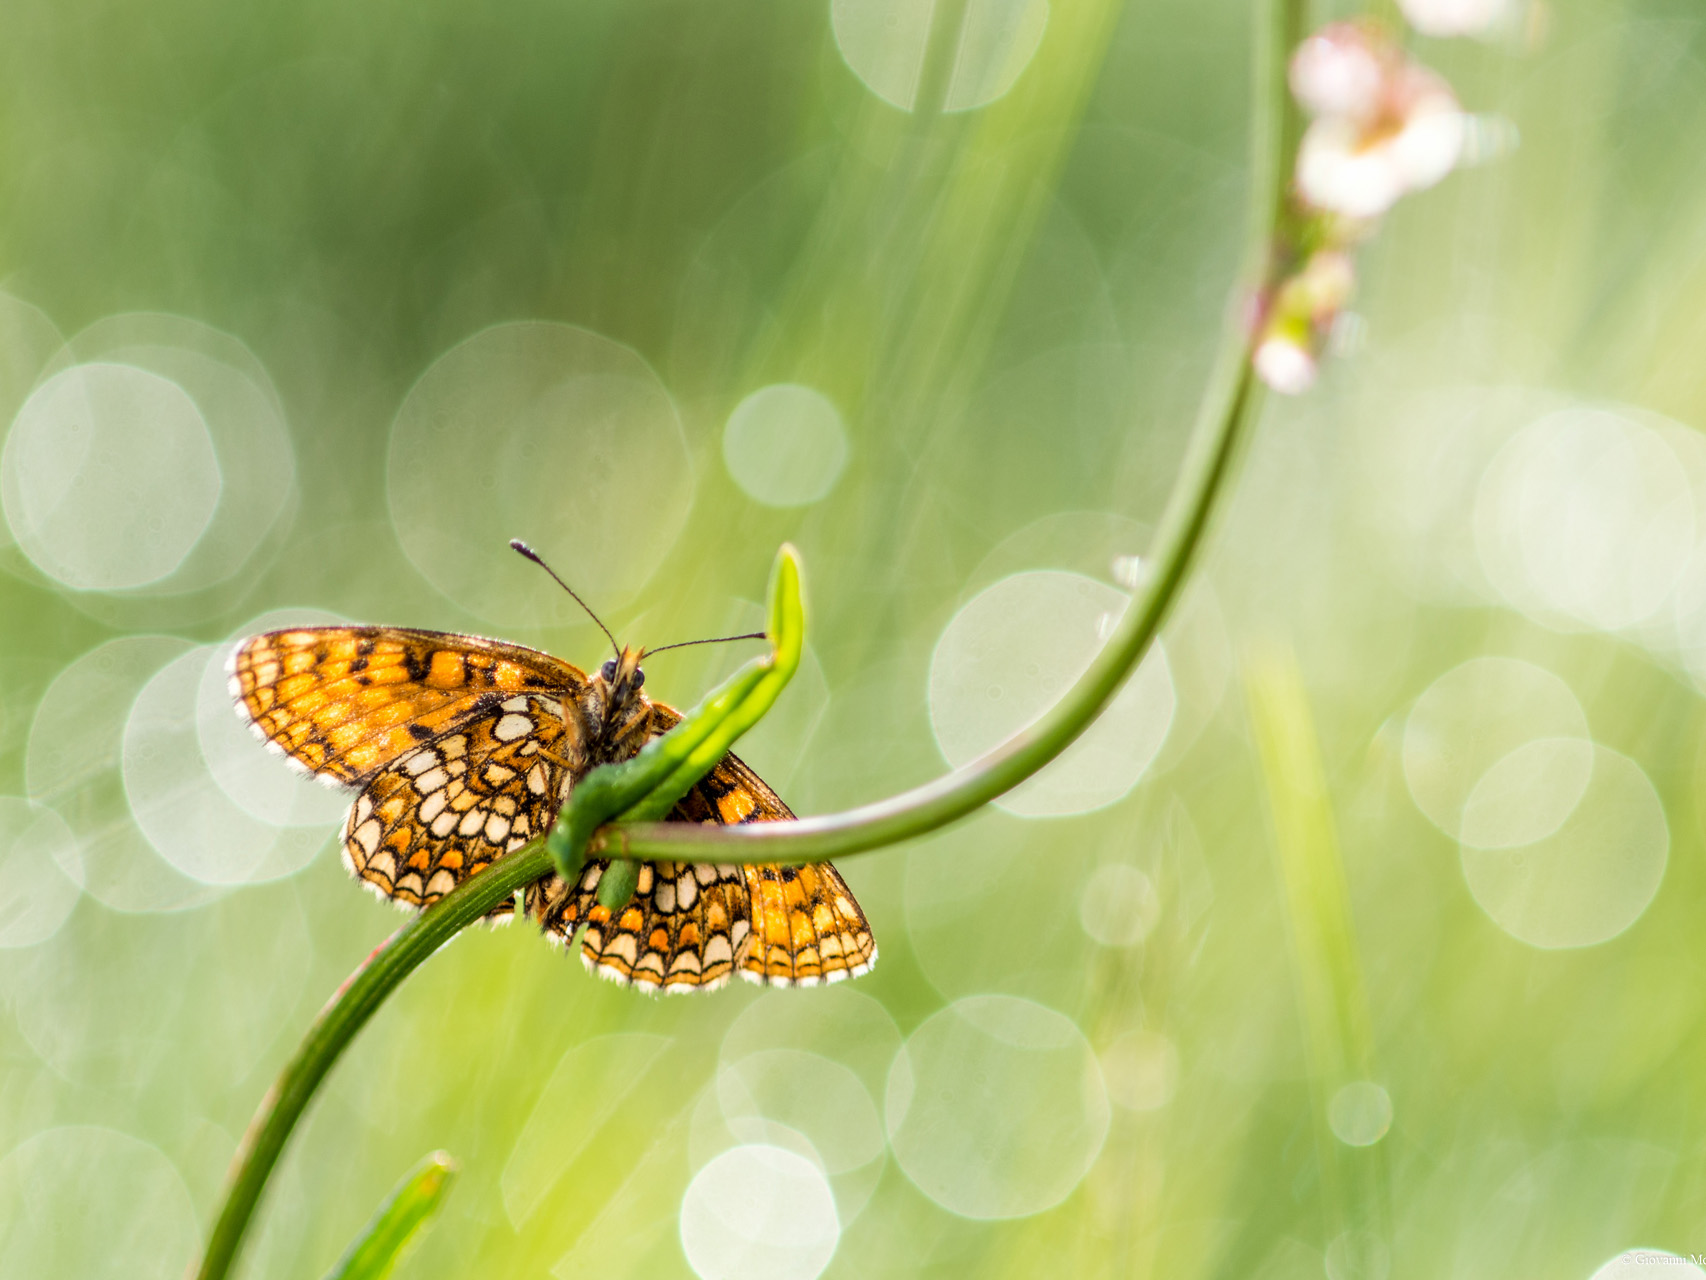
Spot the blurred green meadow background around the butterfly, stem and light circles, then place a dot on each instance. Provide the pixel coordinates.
(1014, 310)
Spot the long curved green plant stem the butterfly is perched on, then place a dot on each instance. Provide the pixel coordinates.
(1229, 409)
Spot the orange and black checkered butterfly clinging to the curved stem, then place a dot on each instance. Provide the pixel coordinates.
(463, 750)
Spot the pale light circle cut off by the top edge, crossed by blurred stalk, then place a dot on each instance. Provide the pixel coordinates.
(885, 45)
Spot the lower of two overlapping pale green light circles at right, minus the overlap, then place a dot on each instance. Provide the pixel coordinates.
(1593, 878)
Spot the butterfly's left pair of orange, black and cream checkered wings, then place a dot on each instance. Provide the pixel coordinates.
(460, 745)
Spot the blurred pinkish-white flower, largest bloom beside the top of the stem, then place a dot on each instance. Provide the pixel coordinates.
(1362, 166)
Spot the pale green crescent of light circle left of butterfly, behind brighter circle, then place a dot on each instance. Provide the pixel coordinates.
(73, 765)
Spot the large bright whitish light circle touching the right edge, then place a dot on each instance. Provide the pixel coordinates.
(1586, 518)
